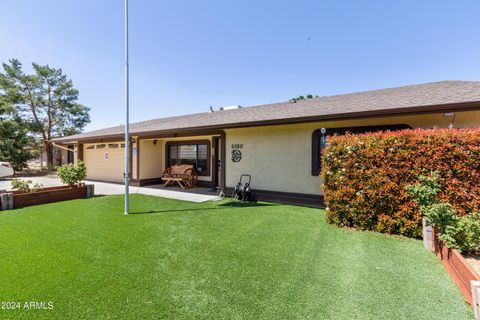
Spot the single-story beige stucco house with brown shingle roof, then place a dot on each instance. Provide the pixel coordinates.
(278, 144)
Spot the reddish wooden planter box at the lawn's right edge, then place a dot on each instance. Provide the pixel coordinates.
(459, 269)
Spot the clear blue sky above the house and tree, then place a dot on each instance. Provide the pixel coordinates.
(189, 55)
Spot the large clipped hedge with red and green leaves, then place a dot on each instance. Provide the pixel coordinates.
(364, 176)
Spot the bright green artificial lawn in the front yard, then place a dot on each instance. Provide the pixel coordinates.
(215, 260)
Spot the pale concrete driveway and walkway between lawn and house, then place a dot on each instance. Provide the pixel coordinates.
(104, 188)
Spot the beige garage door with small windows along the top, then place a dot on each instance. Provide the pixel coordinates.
(104, 161)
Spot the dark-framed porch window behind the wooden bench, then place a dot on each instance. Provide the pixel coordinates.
(193, 153)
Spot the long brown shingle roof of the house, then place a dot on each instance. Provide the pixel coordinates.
(428, 97)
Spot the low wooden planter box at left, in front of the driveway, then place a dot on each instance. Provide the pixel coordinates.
(17, 199)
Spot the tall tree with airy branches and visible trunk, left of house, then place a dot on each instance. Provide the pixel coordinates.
(46, 100)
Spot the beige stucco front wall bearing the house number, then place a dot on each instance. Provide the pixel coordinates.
(279, 157)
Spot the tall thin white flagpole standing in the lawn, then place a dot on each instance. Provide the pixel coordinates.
(127, 144)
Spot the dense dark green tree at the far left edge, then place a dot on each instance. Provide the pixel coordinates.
(14, 137)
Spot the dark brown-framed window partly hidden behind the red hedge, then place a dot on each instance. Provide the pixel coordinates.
(320, 140)
